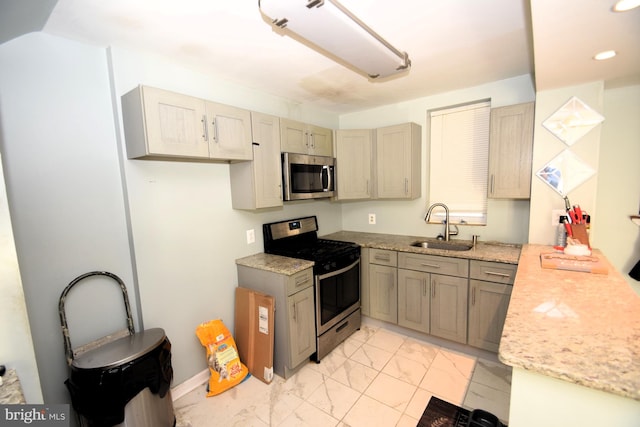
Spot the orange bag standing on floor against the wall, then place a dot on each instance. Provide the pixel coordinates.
(222, 356)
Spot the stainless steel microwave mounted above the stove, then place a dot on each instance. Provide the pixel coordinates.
(307, 177)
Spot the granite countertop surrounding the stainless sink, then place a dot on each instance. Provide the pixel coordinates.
(484, 251)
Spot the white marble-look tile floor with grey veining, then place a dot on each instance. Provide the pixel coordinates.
(376, 377)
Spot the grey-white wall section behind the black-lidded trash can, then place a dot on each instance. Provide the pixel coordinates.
(64, 189)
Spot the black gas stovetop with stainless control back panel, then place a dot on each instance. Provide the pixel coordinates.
(297, 238)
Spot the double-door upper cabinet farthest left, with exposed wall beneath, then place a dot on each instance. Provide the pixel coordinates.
(162, 124)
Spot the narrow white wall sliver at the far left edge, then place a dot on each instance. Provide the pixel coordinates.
(16, 351)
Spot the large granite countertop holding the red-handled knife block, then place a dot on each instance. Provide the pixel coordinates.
(574, 326)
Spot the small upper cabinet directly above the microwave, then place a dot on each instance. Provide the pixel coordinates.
(302, 138)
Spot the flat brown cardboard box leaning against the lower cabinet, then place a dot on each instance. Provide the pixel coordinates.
(254, 332)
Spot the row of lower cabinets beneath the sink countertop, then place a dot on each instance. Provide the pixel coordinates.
(456, 299)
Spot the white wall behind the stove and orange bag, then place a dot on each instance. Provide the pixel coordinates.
(185, 233)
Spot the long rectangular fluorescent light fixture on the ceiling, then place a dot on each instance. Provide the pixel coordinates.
(337, 33)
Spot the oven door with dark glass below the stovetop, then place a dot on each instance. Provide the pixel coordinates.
(337, 296)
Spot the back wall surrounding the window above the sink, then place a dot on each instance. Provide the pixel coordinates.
(507, 220)
